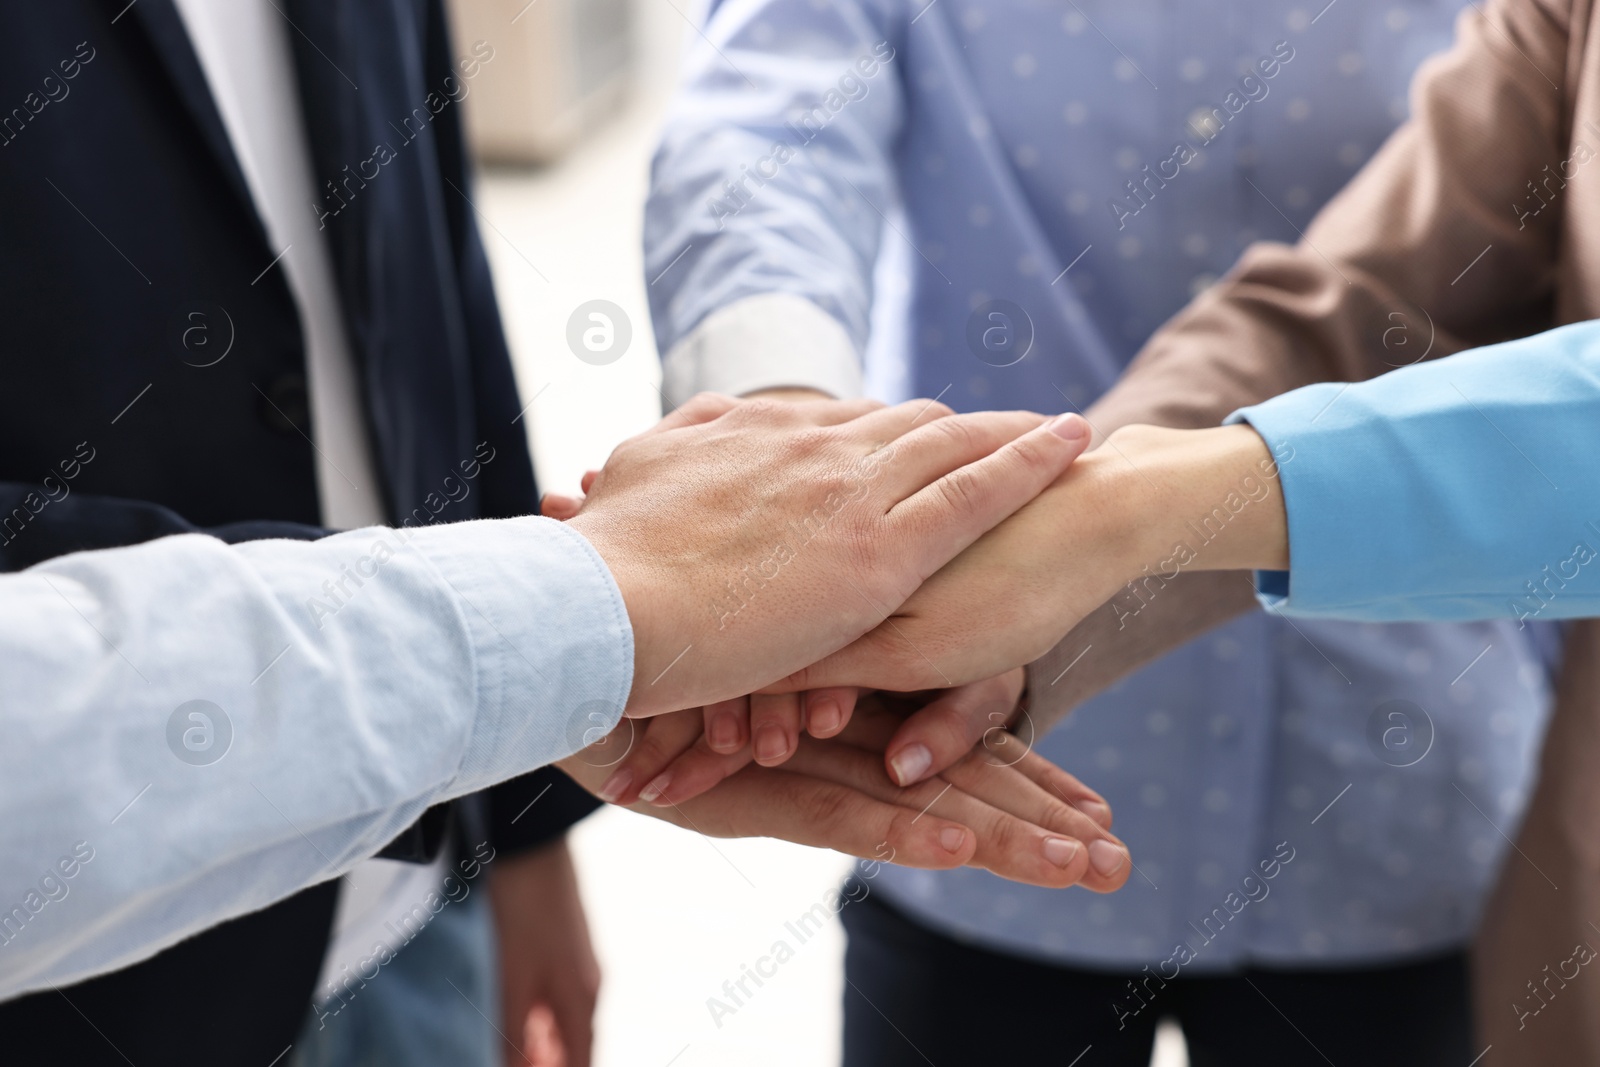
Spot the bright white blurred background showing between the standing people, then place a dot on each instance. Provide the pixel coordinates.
(674, 914)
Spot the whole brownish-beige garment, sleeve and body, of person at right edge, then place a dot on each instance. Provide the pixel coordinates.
(1478, 222)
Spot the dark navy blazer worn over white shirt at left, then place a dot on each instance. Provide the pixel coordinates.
(153, 382)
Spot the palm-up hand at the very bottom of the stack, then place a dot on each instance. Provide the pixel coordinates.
(1017, 817)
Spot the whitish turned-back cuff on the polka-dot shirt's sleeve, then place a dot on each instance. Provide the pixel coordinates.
(770, 342)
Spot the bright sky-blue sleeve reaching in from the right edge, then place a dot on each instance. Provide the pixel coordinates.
(1462, 489)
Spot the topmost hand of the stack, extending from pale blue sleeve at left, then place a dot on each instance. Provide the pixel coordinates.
(754, 538)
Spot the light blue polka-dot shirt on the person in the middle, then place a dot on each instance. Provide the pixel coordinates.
(862, 180)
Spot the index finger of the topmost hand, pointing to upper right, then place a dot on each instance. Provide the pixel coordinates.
(958, 510)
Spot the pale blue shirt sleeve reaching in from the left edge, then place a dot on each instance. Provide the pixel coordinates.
(196, 730)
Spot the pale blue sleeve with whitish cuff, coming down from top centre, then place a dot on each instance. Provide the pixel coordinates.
(775, 178)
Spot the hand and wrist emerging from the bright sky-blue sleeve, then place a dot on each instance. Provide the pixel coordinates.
(1129, 516)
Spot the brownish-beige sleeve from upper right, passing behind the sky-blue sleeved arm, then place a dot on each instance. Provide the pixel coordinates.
(1430, 250)
